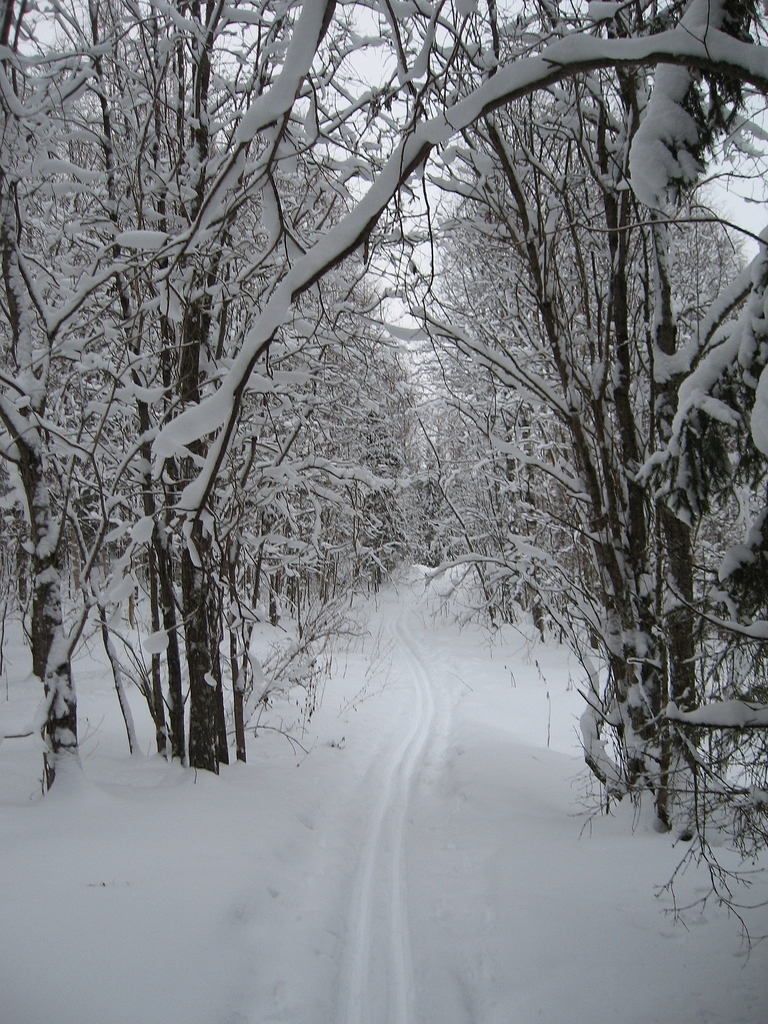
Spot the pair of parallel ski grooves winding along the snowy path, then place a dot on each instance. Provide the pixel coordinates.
(380, 900)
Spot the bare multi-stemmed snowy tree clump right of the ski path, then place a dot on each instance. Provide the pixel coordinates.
(564, 291)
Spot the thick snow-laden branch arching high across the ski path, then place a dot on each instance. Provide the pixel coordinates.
(697, 49)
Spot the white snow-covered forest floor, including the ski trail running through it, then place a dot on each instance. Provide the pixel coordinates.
(432, 860)
